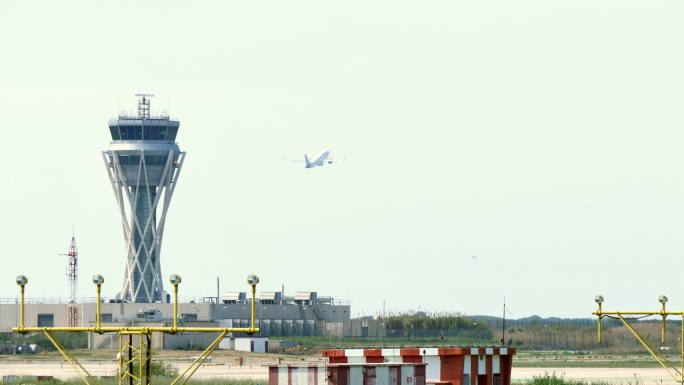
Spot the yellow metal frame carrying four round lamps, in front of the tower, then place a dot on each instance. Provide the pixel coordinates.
(135, 360)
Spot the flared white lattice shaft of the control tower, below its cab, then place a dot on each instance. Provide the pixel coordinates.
(143, 231)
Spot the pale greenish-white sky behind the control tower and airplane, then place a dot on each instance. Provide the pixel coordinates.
(543, 137)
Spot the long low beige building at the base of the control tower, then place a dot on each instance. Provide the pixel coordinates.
(302, 314)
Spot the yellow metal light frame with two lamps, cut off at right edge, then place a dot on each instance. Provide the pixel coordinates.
(677, 373)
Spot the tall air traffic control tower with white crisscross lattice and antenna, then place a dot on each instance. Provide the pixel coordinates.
(143, 162)
